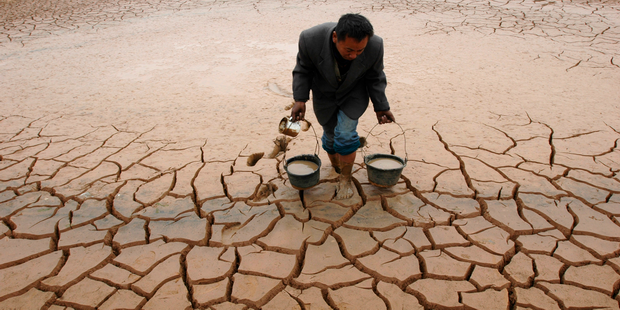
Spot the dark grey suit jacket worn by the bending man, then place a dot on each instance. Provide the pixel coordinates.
(315, 70)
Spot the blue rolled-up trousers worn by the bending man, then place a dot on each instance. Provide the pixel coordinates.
(340, 135)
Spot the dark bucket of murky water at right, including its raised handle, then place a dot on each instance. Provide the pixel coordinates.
(383, 177)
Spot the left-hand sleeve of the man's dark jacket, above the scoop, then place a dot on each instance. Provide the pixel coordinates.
(303, 72)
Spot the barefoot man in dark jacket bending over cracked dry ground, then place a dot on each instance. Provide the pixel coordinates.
(343, 66)
